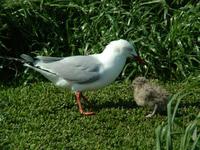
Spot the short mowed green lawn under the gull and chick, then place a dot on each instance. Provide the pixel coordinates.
(42, 116)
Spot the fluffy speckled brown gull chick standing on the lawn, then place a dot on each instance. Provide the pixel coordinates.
(150, 95)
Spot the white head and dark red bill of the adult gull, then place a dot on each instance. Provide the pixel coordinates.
(123, 48)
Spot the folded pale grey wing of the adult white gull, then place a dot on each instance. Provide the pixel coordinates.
(80, 69)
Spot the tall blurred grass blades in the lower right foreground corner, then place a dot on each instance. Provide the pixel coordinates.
(189, 138)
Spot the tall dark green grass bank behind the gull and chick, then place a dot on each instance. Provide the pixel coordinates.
(165, 33)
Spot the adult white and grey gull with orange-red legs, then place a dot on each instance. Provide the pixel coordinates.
(82, 73)
